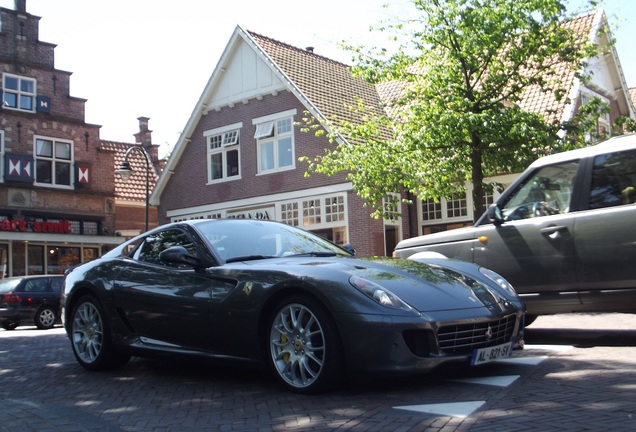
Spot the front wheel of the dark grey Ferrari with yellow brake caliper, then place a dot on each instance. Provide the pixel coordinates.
(304, 349)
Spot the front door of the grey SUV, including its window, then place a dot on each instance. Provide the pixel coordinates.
(534, 246)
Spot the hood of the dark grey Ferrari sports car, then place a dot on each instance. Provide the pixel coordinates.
(425, 287)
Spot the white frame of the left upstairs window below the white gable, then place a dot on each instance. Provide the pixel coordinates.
(228, 141)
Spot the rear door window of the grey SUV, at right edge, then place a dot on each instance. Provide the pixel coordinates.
(613, 180)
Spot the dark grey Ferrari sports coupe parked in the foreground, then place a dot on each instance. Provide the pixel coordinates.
(273, 295)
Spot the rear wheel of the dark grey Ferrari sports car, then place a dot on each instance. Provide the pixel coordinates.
(91, 337)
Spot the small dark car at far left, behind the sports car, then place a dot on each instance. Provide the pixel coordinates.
(30, 299)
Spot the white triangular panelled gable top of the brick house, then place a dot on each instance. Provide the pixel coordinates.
(245, 76)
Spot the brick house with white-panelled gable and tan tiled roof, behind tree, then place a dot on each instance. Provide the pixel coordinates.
(238, 155)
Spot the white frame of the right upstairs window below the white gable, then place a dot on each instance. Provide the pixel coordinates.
(268, 133)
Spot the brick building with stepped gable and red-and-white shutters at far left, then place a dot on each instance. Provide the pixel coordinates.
(59, 196)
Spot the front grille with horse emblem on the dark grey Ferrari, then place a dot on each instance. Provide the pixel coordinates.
(461, 339)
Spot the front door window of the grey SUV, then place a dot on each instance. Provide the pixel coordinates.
(546, 192)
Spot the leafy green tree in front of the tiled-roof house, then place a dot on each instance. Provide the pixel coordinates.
(461, 69)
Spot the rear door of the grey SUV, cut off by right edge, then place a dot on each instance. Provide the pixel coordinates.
(605, 234)
